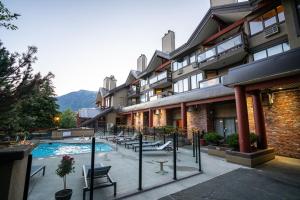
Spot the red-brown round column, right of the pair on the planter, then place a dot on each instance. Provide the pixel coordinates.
(259, 120)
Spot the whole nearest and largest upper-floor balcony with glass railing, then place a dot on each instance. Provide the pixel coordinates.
(225, 53)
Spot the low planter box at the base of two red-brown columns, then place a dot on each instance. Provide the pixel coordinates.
(250, 159)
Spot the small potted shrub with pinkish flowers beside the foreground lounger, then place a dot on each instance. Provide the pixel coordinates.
(65, 167)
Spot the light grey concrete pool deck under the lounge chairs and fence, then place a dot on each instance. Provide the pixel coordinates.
(124, 171)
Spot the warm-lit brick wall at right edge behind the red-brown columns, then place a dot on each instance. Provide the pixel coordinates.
(282, 120)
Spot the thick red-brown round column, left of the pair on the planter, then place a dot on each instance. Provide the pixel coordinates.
(242, 118)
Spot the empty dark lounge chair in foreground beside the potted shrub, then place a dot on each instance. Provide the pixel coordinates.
(100, 172)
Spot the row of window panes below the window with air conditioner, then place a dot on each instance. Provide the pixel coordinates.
(271, 51)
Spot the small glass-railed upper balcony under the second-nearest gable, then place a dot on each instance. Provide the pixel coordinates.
(162, 80)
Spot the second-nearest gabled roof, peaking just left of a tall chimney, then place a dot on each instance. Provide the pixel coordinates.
(155, 62)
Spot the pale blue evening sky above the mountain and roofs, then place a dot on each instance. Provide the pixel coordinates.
(83, 41)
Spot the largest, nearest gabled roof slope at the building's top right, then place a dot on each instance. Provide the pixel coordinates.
(208, 26)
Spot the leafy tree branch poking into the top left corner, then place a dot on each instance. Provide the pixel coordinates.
(6, 17)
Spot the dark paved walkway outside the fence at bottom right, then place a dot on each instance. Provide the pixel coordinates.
(278, 179)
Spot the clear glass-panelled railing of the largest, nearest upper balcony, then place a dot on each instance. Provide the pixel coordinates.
(217, 50)
